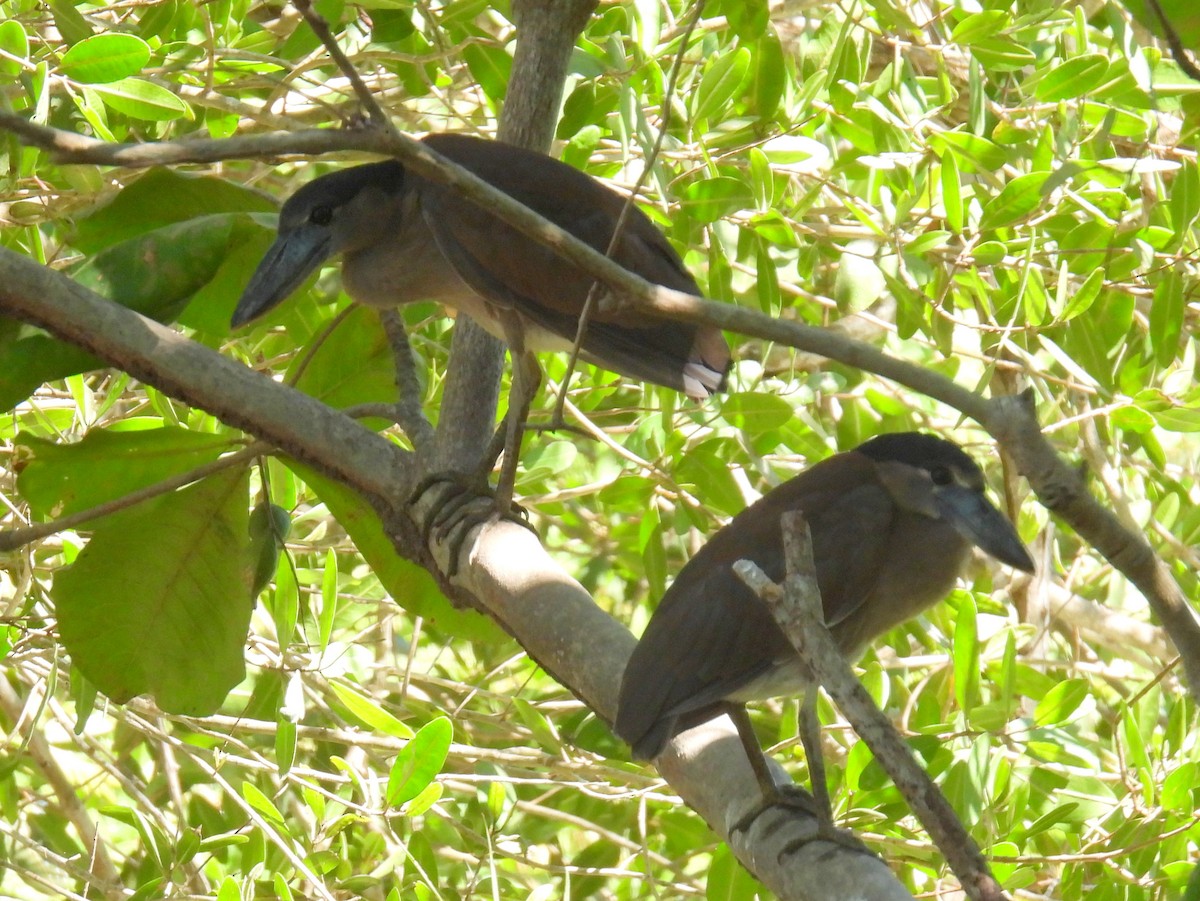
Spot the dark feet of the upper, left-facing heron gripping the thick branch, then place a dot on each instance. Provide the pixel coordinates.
(464, 502)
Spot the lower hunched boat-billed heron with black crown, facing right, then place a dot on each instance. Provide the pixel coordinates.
(893, 524)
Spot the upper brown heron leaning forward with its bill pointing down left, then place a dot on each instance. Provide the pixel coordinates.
(405, 239)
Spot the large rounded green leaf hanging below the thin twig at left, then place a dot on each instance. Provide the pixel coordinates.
(181, 634)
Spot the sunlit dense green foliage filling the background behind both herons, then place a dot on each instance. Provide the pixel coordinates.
(1007, 194)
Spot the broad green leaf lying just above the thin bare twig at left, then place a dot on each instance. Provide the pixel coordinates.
(63, 479)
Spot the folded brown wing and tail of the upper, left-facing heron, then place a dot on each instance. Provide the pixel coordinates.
(512, 271)
